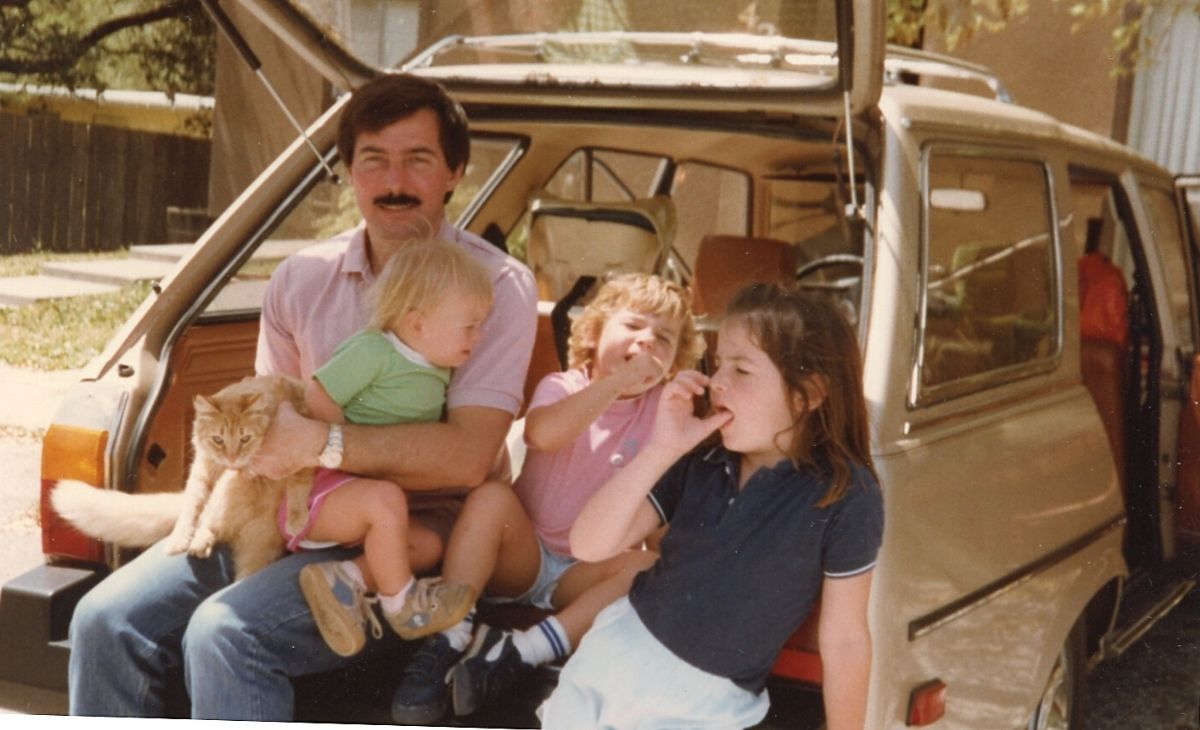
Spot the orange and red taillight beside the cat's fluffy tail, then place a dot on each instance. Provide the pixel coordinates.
(70, 453)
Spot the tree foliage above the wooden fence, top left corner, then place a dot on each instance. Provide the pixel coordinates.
(149, 45)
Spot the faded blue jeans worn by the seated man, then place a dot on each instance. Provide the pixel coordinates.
(238, 645)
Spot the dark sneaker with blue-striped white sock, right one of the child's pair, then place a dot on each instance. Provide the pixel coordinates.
(493, 666)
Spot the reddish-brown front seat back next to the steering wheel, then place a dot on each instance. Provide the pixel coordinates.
(727, 264)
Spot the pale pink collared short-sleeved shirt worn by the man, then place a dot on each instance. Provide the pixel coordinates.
(317, 298)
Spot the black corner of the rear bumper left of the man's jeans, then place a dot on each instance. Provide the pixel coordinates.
(35, 613)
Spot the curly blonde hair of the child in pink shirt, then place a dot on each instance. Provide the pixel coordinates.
(644, 294)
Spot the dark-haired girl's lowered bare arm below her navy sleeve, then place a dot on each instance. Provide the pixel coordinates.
(845, 641)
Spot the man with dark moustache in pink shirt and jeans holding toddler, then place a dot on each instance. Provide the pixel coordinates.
(406, 147)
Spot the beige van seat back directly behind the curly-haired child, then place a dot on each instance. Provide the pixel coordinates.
(569, 240)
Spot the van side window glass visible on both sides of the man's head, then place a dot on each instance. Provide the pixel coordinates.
(329, 210)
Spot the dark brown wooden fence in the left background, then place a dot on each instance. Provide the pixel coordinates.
(68, 187)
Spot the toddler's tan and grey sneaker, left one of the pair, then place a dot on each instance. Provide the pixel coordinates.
(340, 608)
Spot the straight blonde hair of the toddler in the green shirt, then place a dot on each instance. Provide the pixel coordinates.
(419, 276)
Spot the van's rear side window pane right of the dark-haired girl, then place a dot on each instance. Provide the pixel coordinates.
(991, 310)
